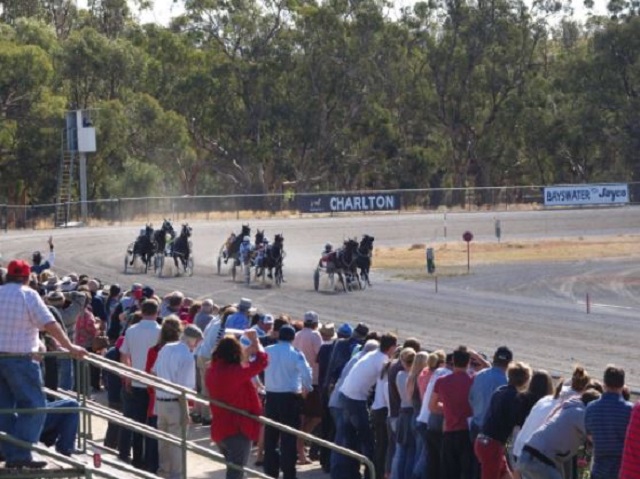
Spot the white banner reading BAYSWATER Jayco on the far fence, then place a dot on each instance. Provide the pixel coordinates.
(586, 195)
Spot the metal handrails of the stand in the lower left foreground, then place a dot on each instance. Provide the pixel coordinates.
(184, 394)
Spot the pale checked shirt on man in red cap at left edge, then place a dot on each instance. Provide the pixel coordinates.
(23, 315)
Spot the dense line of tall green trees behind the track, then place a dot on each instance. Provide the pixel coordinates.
(243, 96)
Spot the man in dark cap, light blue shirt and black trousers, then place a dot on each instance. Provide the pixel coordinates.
(287, 381)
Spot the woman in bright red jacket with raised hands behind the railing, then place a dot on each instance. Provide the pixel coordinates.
(229, 381)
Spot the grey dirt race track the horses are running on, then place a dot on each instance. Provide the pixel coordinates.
(537, 309)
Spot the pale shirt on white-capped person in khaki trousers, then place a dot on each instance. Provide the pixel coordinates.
(177, 364)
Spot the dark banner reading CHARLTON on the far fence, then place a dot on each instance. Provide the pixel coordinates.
(337, 203)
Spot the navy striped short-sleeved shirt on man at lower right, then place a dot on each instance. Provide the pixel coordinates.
(606, 421)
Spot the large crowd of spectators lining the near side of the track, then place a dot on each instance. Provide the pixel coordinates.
(415, 414)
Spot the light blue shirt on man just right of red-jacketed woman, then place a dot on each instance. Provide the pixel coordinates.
(288, 370)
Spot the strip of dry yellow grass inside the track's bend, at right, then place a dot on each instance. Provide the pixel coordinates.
(452, 257)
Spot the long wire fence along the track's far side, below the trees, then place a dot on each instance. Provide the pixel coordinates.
(122, 210)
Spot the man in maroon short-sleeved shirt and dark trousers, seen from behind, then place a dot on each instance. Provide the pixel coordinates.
(450, 397)
